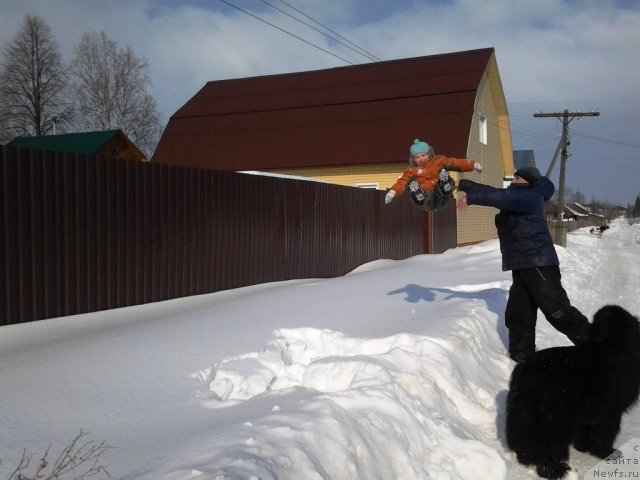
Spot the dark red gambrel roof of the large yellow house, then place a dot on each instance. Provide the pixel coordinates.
(363, 114)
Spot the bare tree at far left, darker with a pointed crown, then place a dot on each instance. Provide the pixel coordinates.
(34, 95)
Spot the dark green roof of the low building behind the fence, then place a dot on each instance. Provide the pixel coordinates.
(87, 143)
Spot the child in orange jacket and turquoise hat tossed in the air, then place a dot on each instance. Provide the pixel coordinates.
(427, 178)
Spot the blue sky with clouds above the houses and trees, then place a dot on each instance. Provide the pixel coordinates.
(581, 55)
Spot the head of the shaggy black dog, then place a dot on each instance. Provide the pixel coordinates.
(616, 327)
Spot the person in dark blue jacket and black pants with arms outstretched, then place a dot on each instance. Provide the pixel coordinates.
(528, 251)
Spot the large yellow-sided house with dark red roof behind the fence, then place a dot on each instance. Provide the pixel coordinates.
(352, 125)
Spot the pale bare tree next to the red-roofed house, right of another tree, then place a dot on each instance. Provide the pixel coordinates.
(111, 87)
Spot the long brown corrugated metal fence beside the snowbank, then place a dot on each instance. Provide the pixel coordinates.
(80, 233)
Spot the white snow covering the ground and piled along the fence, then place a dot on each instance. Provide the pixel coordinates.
(397, 370)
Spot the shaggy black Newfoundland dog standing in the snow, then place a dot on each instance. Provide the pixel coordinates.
(575, 395)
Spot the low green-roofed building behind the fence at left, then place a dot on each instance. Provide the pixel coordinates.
(108, 144)
